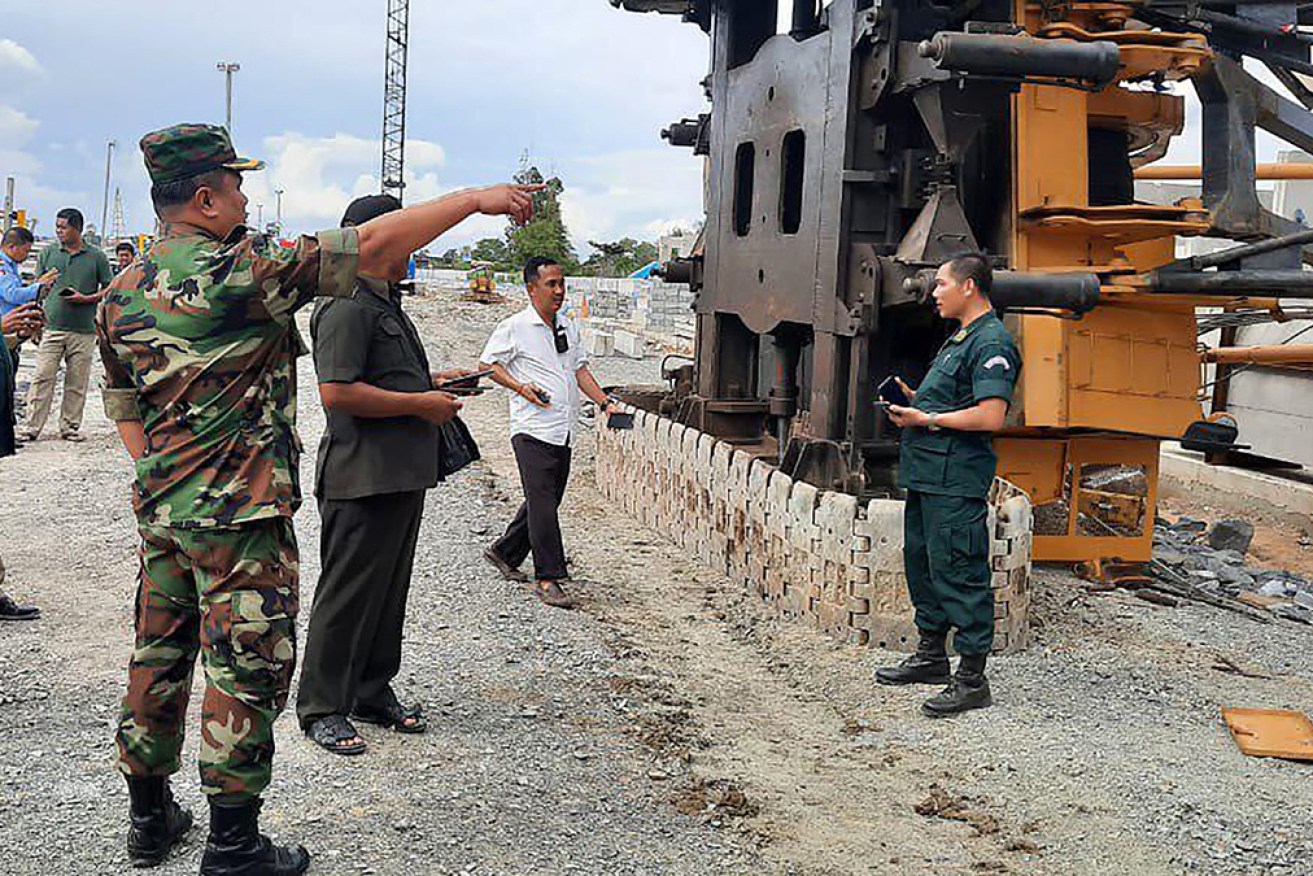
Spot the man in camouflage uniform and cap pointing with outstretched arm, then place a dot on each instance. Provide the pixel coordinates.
(200, 347)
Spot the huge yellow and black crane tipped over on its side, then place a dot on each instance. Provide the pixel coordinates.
(867, 142)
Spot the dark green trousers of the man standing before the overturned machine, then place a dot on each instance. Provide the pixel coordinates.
(946, 556)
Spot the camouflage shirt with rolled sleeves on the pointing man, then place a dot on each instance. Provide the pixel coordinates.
(199, 343)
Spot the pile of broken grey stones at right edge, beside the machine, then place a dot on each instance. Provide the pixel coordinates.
(1214, 561)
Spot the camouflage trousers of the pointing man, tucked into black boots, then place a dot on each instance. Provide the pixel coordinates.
(230, 596)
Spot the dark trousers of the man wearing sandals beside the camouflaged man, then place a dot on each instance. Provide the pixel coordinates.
(354, 647)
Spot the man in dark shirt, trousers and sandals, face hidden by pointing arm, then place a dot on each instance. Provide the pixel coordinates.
(377, 459)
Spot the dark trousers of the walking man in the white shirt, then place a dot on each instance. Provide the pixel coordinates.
(544, 473)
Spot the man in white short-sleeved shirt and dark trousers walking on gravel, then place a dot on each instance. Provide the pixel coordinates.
(538, 355)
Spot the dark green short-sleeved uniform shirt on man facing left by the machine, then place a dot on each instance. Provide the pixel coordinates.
(980, 362)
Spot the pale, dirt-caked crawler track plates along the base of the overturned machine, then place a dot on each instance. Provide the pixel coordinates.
(821, 558)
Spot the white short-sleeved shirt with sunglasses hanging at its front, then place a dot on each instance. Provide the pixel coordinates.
(527, 349)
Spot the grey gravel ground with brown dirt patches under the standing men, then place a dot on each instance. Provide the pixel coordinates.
(670, 727)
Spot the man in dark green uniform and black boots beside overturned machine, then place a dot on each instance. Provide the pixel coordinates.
(947, 467)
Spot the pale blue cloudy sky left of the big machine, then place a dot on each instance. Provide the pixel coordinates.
(582, 87)
